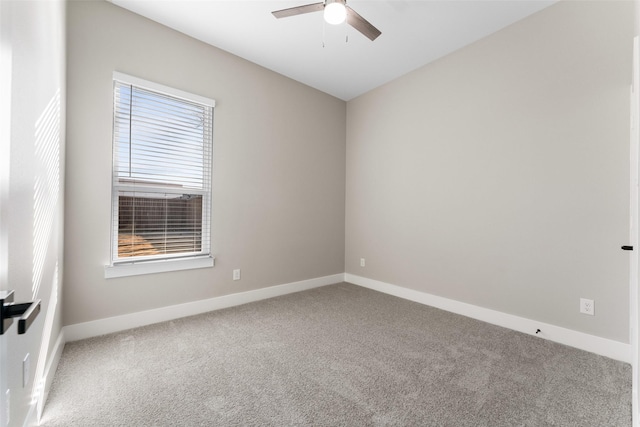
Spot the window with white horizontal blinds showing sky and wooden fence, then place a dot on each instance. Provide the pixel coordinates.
(161, 191)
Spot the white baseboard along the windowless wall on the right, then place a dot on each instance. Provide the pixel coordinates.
(602, 346)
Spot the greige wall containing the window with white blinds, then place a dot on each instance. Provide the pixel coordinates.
(279, 167)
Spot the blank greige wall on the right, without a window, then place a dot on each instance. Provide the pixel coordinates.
(499, 175)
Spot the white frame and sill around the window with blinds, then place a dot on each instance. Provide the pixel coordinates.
(154, 264)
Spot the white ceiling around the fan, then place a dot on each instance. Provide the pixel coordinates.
(338, 60)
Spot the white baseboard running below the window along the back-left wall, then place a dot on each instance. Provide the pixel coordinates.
(120, 323)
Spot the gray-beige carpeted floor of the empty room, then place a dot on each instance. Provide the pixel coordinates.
(339, 355)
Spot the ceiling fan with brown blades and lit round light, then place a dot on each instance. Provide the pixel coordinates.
(335, 12)
